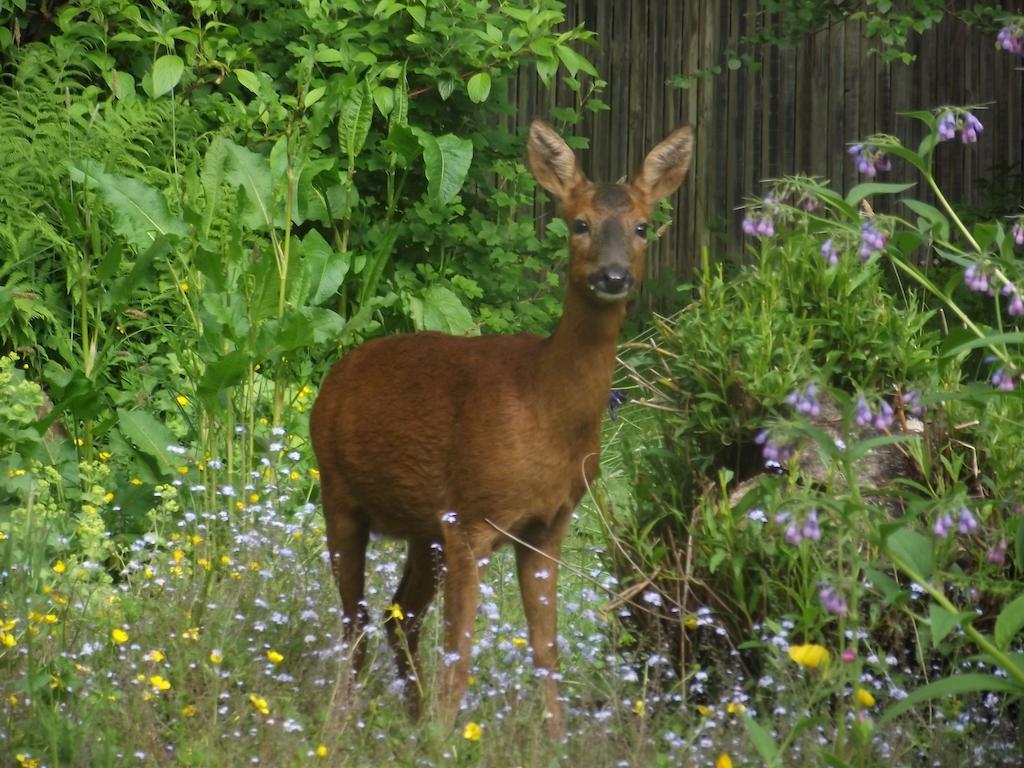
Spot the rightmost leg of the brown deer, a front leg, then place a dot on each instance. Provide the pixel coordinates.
(538, 575)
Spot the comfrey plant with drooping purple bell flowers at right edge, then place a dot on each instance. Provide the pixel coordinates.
(943, 526)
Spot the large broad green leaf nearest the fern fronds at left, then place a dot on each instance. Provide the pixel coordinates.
(141, 214)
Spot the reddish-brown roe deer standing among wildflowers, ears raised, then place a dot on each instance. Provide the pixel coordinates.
(447, 442)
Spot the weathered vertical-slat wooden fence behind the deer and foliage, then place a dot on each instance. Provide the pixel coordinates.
(798, 113)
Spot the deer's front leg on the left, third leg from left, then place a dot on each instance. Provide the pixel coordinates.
(462, 585)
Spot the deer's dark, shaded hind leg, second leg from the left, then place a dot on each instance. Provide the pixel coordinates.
(419, 584)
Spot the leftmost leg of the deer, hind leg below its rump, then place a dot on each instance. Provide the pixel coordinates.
(348, 536)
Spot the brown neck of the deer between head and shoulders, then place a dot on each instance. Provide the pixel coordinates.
(579, 359)
